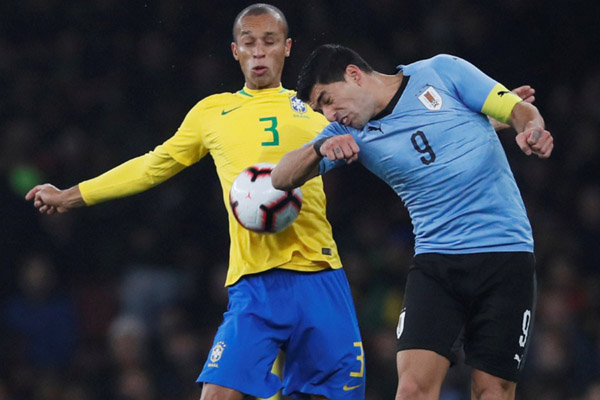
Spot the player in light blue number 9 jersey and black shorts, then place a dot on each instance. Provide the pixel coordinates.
(425, 132)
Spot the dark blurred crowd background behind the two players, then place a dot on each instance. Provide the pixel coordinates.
(121, 300)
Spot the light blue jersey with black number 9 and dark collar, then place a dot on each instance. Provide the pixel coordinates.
(441, 155)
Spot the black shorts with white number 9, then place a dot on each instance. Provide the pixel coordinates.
(484, 302)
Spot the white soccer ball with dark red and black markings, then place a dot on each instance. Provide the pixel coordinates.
(258, 206)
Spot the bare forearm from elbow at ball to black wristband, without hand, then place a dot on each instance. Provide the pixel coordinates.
(295, 168)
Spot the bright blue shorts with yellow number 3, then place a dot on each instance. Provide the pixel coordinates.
(310, 316)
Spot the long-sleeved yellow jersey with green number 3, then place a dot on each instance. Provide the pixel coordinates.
(238, 130)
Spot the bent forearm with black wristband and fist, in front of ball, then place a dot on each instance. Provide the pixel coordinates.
(300, 165)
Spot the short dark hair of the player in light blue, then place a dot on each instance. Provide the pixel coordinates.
(327, 64)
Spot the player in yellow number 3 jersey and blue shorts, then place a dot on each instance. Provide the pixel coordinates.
(286, 290)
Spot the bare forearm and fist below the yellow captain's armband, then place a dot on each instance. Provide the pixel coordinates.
(532, 138)
